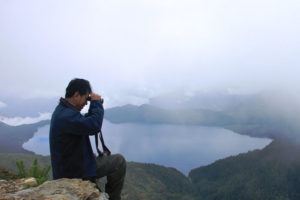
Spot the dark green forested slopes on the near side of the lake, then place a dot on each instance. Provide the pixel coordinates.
(270, 173)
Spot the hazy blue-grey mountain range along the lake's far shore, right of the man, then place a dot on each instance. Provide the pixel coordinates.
(263, 115)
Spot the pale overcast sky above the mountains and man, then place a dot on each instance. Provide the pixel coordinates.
(135, 49)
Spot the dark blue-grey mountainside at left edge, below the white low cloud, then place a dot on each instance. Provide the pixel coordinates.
(13, 137)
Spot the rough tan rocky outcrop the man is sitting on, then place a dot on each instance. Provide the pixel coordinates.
(66, 189)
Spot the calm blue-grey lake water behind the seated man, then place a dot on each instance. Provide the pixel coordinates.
(179, 146)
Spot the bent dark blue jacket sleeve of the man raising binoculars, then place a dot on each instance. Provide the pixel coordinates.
(89, 124)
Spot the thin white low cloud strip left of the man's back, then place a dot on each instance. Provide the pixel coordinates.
(16, 121)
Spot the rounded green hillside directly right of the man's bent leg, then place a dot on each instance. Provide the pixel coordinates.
(154, 182)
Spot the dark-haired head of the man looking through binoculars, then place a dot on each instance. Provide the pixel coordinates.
(77, 92)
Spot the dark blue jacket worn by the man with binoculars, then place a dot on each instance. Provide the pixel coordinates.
(70, 148)
